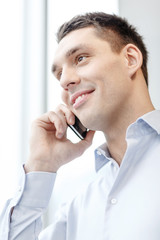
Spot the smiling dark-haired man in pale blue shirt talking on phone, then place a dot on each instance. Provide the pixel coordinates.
(101, 64)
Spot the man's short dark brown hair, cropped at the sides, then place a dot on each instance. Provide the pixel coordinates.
(116, 30)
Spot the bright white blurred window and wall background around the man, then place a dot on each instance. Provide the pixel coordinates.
(28, 88)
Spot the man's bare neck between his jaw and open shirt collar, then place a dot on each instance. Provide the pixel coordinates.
(116, 133)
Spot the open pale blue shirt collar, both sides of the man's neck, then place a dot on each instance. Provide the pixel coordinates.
(147, 123)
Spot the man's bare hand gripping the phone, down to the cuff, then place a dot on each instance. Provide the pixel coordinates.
(49, 146)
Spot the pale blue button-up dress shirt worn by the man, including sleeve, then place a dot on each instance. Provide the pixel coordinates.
(122, 204)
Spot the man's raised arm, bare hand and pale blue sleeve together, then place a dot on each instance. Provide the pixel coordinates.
(49, 149)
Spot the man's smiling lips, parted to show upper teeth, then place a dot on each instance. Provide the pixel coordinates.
(80, 97)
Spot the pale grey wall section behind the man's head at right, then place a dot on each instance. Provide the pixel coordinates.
(145, 16)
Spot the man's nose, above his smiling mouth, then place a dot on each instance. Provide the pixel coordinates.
(69, 78)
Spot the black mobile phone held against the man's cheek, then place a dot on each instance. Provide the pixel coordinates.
(79, 129)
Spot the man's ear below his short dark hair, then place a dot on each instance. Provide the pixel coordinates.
(133, 58)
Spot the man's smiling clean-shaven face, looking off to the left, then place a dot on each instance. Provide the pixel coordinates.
(94, 79)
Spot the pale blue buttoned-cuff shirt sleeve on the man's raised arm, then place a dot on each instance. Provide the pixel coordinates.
(29, 203)
